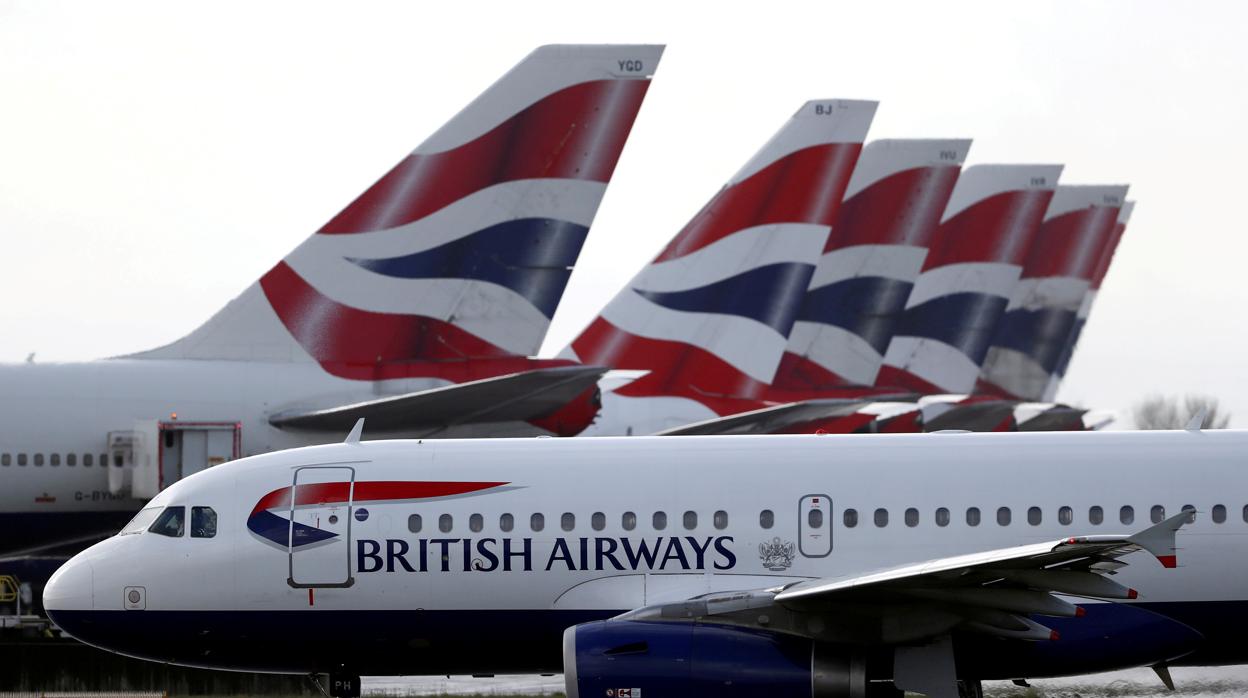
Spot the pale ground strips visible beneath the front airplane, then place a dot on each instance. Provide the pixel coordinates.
(1192, 682)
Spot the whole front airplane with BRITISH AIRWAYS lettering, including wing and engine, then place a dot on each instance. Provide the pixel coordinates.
(776, 566)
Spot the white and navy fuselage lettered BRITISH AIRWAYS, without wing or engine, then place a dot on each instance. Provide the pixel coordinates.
(424, 558)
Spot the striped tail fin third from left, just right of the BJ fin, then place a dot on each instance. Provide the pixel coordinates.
(878, 245)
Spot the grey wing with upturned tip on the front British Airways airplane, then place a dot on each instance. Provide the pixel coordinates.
(994, 592)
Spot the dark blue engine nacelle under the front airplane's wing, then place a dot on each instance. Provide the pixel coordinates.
(628, 659)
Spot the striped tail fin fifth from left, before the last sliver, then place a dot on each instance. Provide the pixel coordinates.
(1058, 275)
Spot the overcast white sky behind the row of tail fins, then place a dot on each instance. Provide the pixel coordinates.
(157, 158)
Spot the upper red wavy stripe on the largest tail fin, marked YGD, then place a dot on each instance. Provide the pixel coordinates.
(577, 133)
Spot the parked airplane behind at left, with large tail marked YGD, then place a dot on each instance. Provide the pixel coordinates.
(419, 307)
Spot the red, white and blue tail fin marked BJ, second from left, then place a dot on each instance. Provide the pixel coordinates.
(709, 318)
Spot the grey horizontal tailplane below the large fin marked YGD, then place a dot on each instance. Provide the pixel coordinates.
(521, 396)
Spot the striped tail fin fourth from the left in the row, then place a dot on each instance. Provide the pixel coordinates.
(975, 260)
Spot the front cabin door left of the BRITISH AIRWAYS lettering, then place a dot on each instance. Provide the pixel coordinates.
(319, 545)
